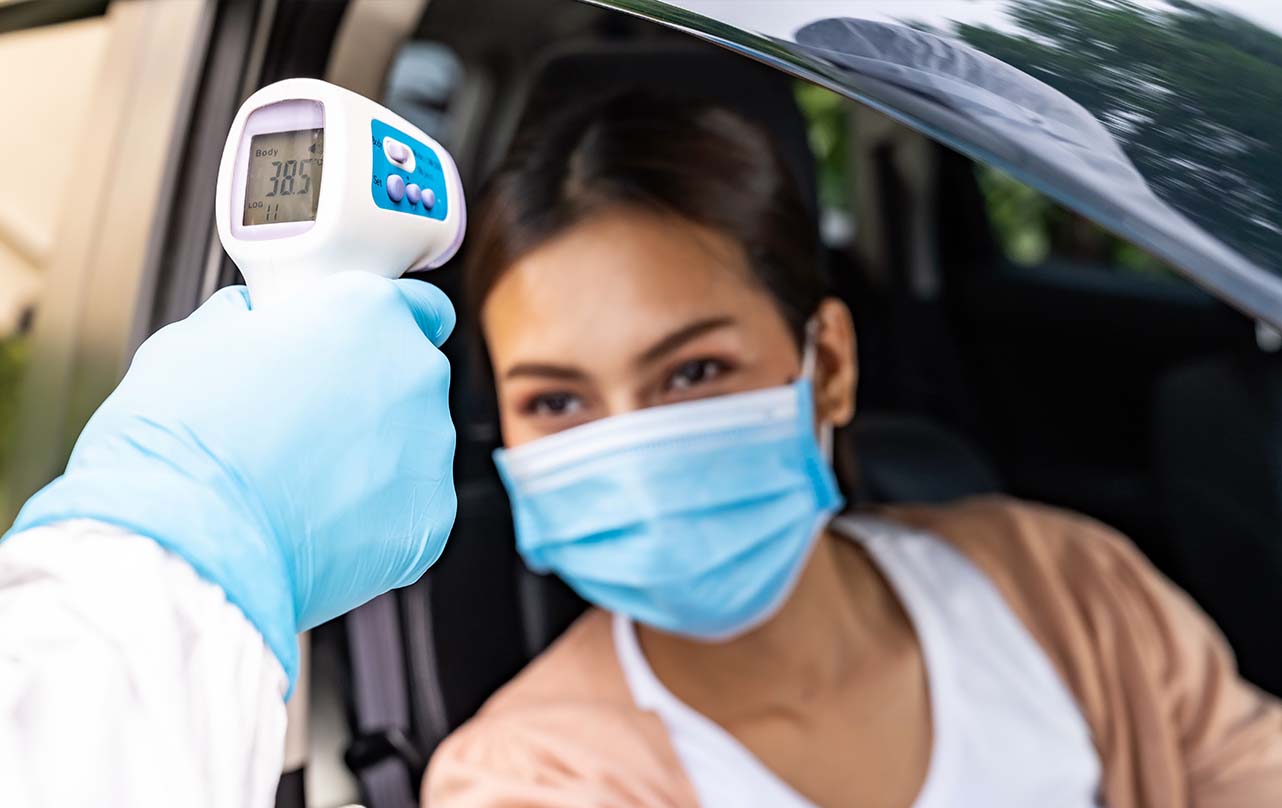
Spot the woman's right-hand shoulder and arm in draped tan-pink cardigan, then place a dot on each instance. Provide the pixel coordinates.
(1152, 674)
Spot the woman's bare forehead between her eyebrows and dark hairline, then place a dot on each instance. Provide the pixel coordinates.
(617, 280)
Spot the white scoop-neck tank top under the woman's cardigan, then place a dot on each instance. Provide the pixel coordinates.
(1007, 733)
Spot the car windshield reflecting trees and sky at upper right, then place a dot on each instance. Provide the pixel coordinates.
(1154, 119)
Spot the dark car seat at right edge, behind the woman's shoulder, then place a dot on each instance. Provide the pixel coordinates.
(1219, 444)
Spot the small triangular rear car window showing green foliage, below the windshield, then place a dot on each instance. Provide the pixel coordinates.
(1031, 230)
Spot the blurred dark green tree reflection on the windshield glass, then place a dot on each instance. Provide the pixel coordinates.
(1193, 96)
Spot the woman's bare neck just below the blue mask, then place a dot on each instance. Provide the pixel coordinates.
(825, 635)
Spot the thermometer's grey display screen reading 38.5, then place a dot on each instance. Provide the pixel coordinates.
(284, 179)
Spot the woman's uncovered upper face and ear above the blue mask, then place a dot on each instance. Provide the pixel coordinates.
(631, 310)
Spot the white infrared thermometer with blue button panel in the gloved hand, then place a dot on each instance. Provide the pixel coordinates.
(317, 180)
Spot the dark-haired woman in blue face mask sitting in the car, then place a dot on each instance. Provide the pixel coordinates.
(670, 374)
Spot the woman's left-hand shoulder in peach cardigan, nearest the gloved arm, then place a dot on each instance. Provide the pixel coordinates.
(565, 733)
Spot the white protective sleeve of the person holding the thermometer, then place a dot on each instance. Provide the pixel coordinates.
(129, 680)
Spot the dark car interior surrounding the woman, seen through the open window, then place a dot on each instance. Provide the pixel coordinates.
(1126, 394)
